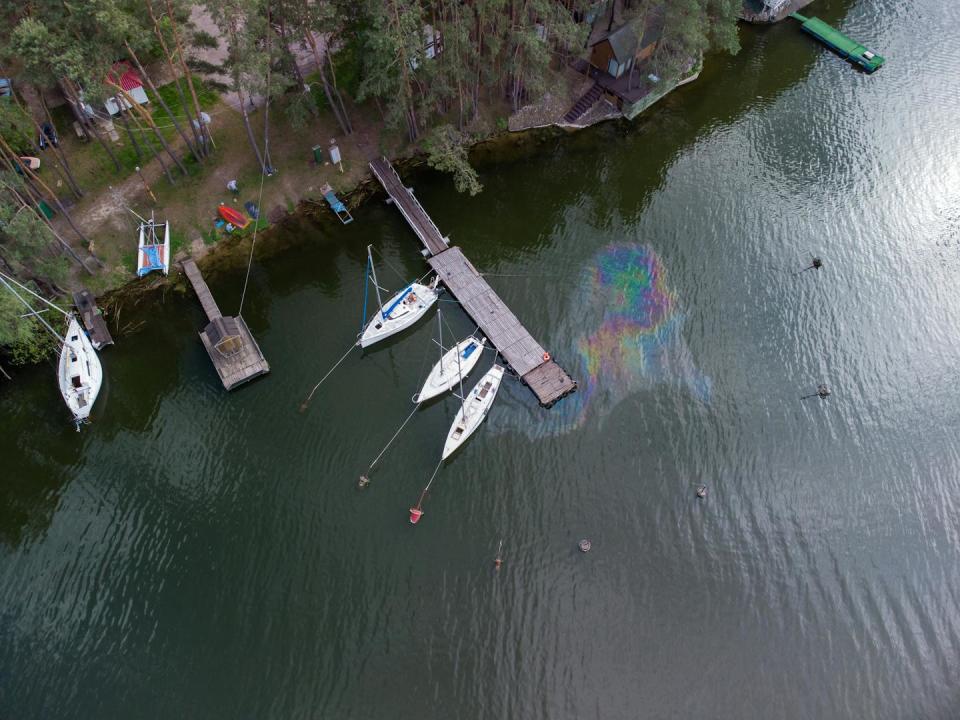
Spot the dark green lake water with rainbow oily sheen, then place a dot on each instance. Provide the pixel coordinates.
(198, 554)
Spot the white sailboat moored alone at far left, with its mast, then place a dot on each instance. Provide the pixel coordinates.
(79, 372)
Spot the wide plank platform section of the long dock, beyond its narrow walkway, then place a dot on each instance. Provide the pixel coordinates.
(524, 355)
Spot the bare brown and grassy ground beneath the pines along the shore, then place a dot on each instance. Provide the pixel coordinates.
(190, 205)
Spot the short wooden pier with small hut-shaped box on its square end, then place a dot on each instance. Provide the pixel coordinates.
(228, 340)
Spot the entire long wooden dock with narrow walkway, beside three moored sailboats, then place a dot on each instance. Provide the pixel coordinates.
(525, 356)
